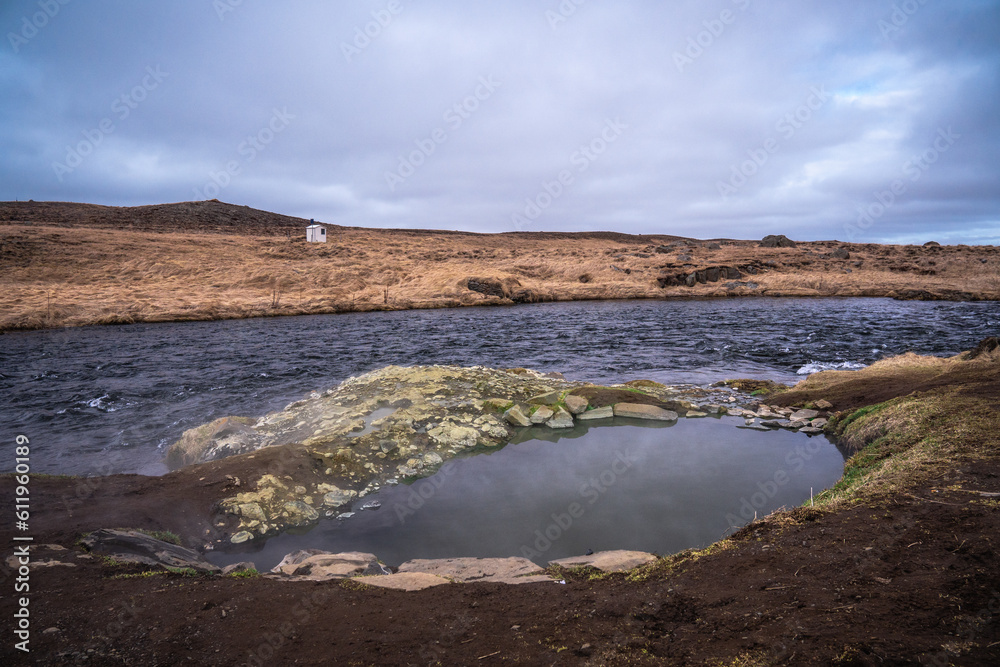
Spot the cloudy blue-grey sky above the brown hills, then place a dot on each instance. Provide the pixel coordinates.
(874, 120)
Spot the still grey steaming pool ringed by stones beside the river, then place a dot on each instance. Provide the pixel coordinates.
(619, 485)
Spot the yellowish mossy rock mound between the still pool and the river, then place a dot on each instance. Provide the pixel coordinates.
(398, 424)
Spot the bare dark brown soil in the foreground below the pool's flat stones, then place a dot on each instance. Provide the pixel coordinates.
(884, 583)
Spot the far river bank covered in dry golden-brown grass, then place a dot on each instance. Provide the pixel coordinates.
(78, 264)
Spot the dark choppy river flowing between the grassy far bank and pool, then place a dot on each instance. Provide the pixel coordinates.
(100, 400)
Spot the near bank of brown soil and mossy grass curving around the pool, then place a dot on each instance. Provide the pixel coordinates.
(895, 564)
